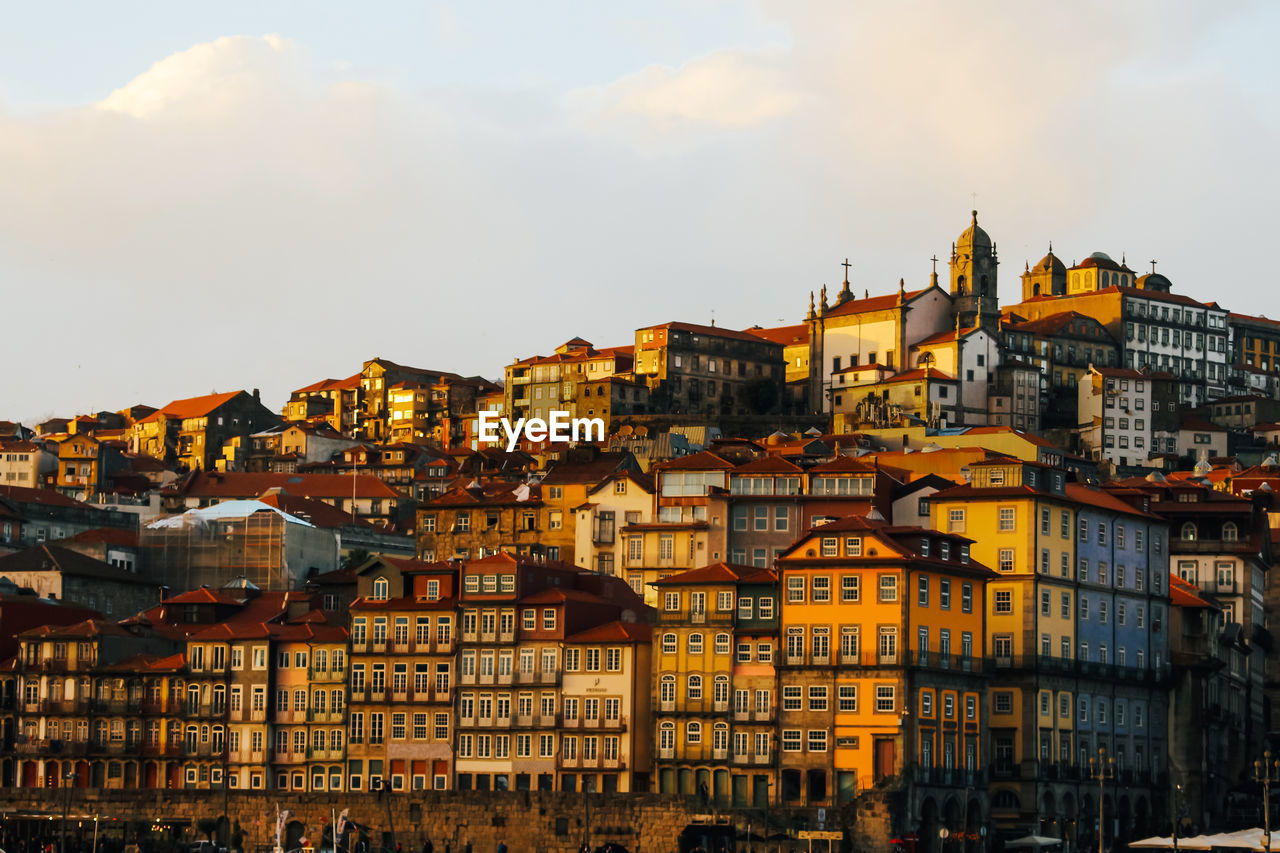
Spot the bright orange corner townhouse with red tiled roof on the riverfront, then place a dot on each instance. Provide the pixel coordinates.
(906, 713)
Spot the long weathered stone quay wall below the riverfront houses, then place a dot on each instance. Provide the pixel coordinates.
(528, 822)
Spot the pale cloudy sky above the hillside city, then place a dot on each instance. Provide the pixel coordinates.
(202, 198)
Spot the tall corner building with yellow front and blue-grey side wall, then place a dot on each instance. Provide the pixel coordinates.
(1059, 690)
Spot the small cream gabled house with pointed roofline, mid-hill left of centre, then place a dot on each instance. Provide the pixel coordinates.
(619, 501)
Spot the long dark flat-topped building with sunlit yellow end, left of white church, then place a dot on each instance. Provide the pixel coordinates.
(706, 370)
